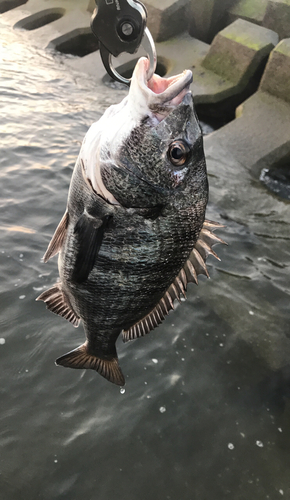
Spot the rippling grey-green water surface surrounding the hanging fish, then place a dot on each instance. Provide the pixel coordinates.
(206, 410)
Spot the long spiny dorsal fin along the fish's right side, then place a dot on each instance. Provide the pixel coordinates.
(194, 265)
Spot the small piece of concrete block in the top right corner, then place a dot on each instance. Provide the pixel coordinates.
(277, 17)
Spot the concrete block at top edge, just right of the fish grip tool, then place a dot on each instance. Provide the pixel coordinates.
(166, 18)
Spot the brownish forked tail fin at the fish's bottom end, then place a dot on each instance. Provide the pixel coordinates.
(80, 358)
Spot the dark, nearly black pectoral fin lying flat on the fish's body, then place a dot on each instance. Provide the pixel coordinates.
(89, 232)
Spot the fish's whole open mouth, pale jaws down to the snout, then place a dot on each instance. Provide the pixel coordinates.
(160, 95)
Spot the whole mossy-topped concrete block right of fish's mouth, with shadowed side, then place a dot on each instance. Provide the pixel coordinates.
(231, 70)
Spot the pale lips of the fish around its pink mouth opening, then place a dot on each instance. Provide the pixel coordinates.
(160, 91)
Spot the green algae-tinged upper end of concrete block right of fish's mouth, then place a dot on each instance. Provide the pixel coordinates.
(239, 50)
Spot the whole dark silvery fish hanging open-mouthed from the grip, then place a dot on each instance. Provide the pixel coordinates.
(134, 232)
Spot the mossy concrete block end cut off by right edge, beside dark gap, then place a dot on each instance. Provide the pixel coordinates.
(276, 78)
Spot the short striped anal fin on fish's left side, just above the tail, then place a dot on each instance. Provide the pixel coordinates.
(58, 303)
